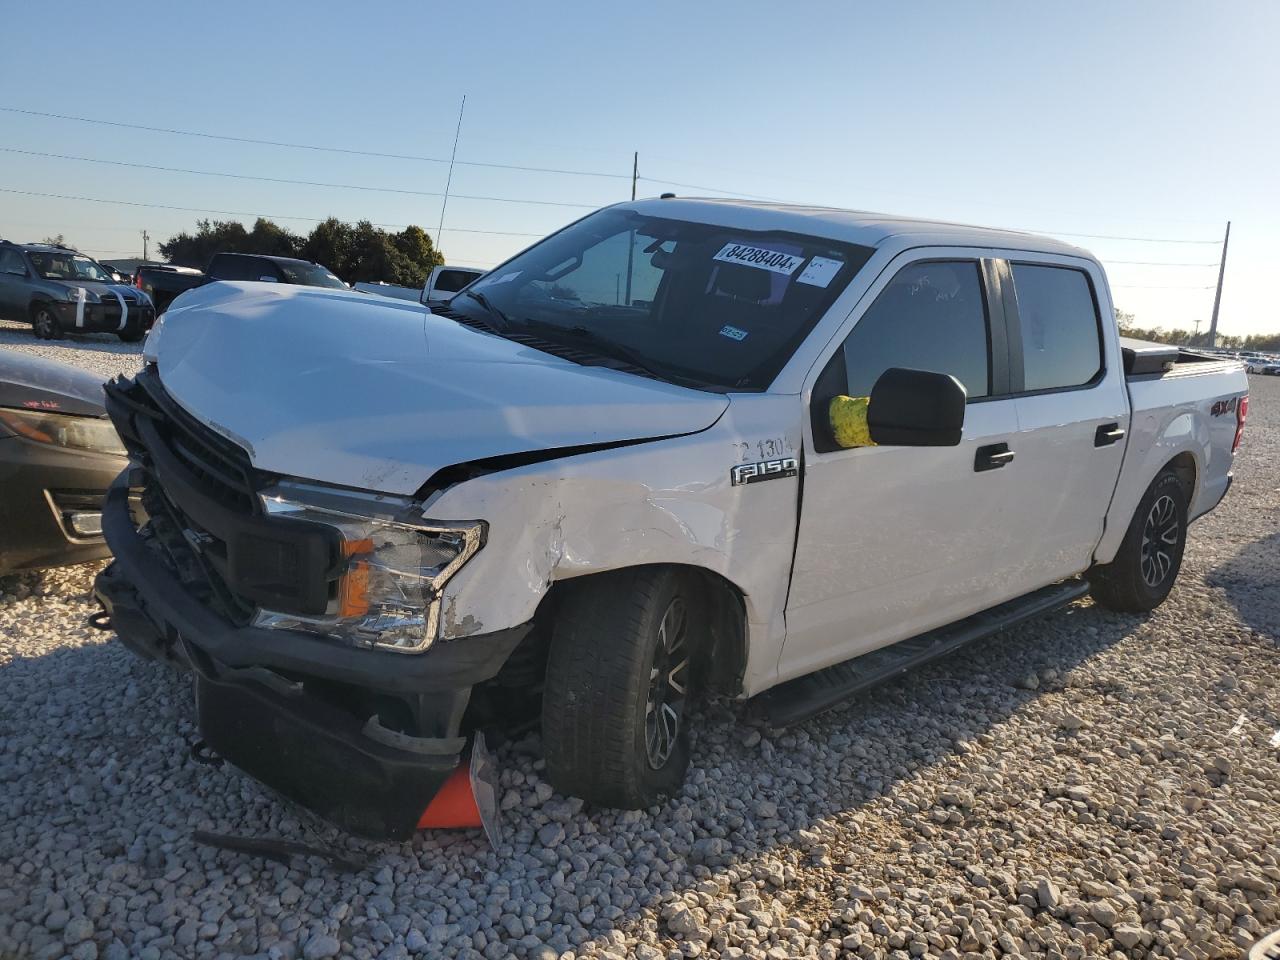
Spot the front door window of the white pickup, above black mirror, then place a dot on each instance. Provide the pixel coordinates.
(931, 317)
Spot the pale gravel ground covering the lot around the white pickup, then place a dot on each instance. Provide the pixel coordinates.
(1087, 785)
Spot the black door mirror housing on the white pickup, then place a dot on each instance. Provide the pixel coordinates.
(916, 409)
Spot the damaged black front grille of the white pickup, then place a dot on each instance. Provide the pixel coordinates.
(203, 495)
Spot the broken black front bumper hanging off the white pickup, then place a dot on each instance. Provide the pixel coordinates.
(363, 738)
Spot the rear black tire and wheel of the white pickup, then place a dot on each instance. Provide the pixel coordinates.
(1151, 554)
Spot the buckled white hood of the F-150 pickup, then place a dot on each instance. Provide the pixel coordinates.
(380, 395)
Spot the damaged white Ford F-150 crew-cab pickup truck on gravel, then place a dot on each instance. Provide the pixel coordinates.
(679, 449)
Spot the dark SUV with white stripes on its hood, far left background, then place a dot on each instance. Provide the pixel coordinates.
(60, 291)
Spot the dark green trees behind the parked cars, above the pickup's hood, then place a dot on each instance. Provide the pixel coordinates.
(354, 253)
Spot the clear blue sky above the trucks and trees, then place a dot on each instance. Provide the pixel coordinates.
(1144, 120)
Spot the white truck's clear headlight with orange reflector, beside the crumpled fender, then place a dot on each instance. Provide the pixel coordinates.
(392, 569)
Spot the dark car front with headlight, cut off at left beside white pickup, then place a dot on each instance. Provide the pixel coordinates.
(58, 455)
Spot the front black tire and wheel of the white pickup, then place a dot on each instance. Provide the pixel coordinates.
(605, 696)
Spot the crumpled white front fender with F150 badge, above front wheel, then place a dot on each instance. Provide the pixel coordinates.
(665, 502)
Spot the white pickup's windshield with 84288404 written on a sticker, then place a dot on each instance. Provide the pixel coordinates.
(700, 304)
